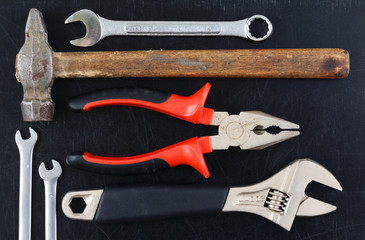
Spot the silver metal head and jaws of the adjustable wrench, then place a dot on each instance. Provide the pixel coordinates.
(282, 197)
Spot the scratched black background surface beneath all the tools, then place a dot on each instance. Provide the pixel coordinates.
(330, 112)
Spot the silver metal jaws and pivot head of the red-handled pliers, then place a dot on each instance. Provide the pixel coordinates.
(248, 130)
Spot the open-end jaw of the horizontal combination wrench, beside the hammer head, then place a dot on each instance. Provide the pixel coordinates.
(92, 25)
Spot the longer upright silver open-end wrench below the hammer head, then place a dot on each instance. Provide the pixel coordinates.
(25, 147)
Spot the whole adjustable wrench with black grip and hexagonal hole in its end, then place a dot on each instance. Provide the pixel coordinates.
(279, 198)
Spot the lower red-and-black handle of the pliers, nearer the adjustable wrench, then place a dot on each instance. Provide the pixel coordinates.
(189, 152)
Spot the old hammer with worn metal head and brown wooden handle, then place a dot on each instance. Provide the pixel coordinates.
(37, 65)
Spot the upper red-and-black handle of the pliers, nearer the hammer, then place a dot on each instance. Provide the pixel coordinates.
(189, 108)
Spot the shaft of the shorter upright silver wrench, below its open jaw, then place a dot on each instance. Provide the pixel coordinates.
(50, 187)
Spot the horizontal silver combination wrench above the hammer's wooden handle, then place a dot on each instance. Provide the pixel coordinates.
(98, 28)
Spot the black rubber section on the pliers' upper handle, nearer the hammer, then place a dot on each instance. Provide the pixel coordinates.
(78, 102)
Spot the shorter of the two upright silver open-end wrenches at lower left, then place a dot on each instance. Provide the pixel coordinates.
(50, 178)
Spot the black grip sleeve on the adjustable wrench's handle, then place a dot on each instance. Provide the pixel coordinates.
(147, 202)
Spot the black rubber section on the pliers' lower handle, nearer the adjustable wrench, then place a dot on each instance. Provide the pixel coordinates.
(77, 160)
